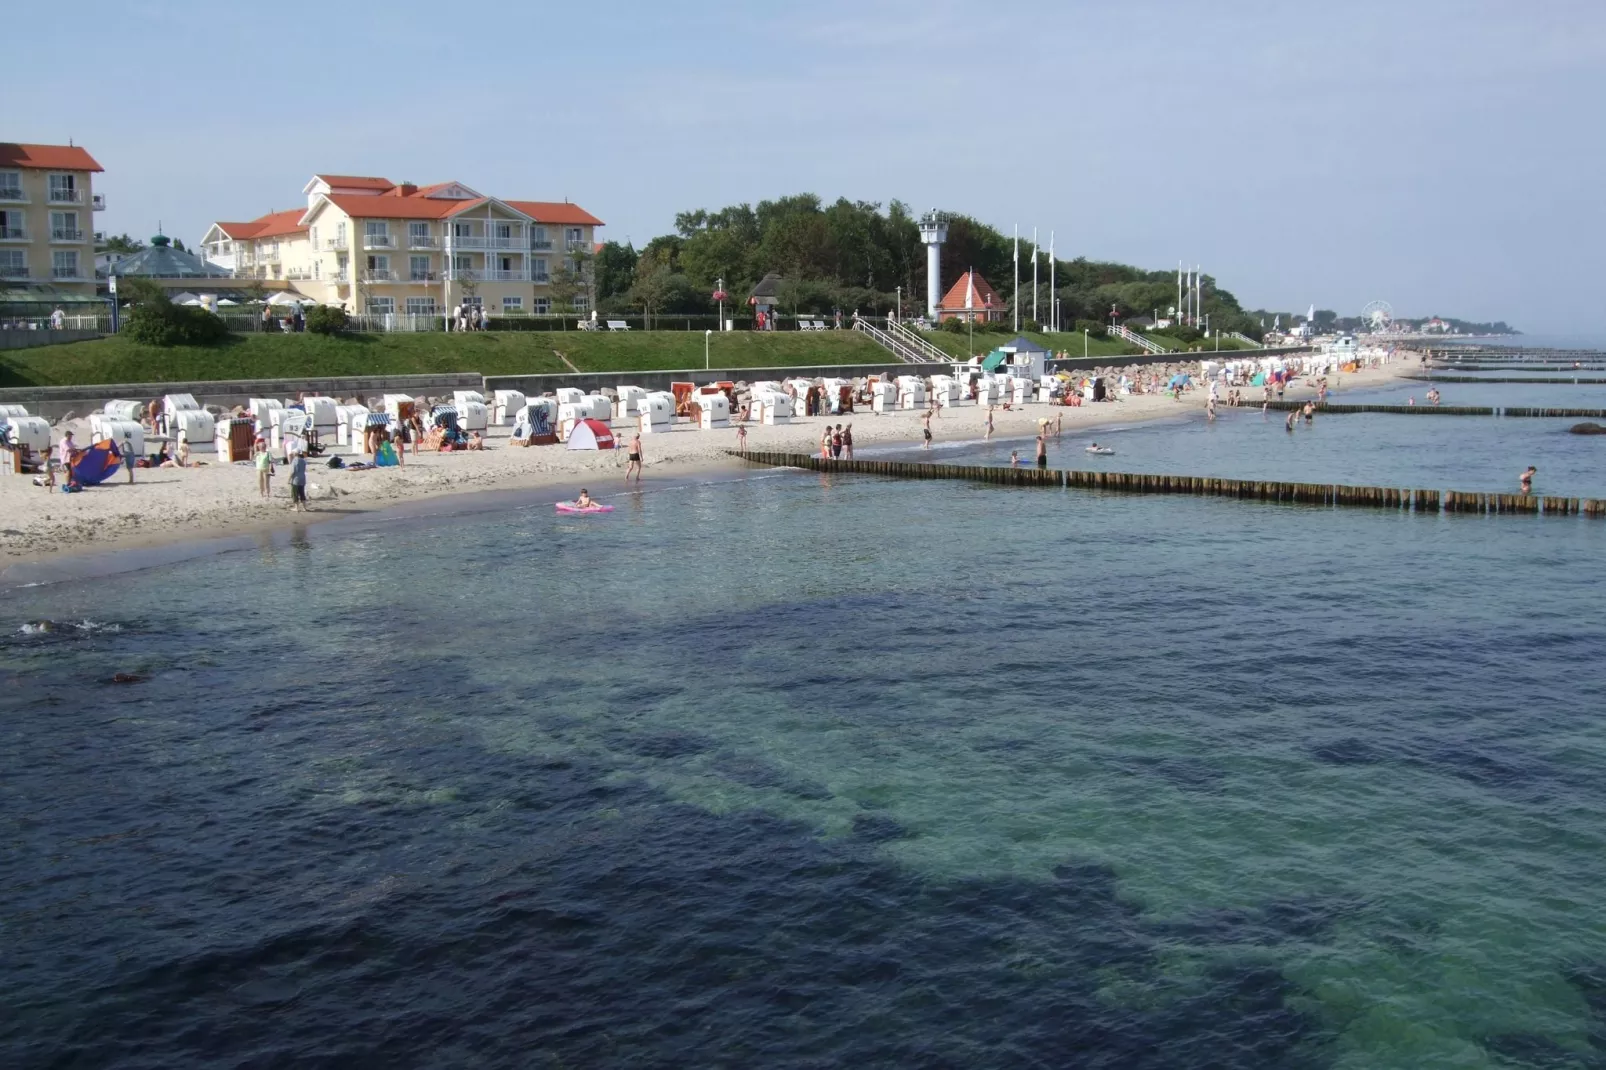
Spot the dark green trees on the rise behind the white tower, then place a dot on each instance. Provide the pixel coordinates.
(860, 256)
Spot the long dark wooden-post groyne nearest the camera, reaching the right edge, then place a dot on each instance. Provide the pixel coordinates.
(1400, 499)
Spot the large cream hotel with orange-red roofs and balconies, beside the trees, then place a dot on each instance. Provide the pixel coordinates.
(375, 247)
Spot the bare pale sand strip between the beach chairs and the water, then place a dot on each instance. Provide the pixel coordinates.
(214, 500)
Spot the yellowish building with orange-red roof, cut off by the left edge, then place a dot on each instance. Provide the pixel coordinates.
(47, 231)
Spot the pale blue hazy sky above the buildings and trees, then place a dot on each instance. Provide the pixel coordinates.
(1446, 157)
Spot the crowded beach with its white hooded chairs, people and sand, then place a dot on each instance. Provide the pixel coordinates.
(388, 451)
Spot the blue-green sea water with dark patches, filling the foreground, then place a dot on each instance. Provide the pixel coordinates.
(804, 770)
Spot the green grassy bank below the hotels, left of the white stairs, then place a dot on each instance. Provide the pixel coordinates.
(494, 353)
